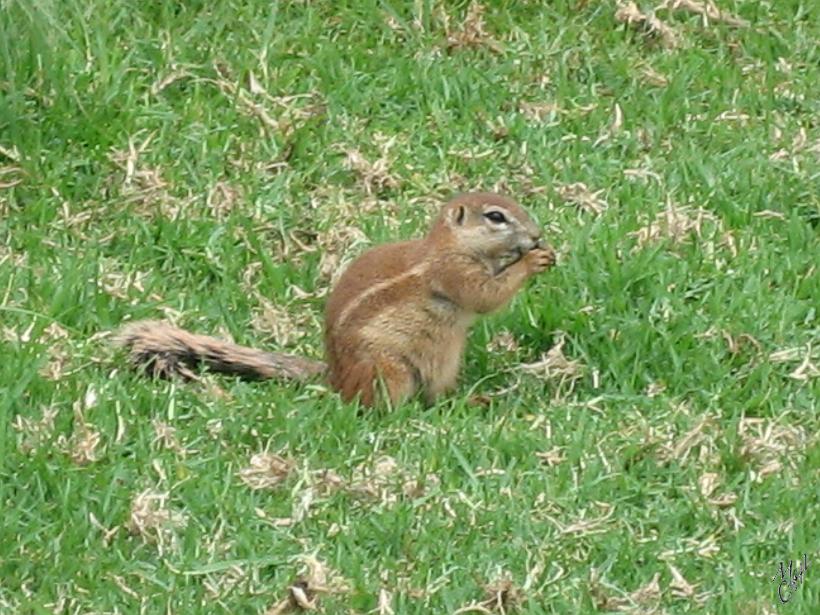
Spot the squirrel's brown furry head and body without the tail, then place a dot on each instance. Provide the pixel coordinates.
(401, 312)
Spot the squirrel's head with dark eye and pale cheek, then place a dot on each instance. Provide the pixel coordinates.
(489, 225)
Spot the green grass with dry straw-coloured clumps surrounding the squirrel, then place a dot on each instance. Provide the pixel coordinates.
(216, 163)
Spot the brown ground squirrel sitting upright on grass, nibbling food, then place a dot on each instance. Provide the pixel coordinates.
(397, 319)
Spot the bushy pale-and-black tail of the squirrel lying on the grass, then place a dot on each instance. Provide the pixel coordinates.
(164, 351)
